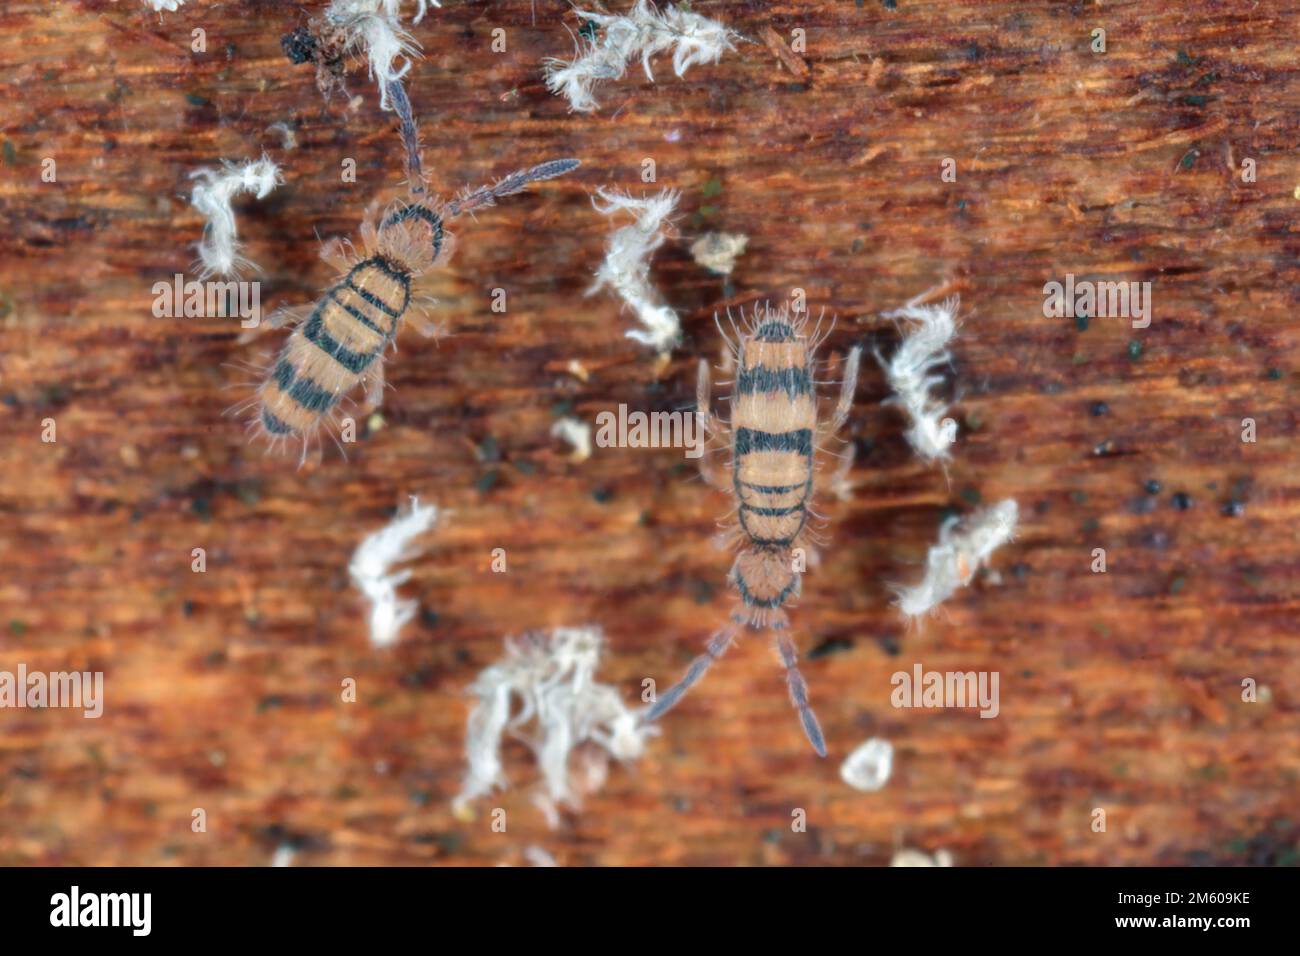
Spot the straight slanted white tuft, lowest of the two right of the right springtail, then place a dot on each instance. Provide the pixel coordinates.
(964, 547)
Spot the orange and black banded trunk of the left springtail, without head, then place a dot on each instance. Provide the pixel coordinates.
(333, 349)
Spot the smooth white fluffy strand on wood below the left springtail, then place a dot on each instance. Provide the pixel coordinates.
(371, 564)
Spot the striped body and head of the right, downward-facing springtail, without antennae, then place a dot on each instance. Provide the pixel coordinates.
(774, 427)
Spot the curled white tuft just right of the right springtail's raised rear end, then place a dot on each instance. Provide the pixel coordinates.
(924, 349)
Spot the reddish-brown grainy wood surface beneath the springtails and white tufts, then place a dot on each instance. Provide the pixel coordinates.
(1119, 691)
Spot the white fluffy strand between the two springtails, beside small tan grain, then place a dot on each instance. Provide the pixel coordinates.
(627, 265)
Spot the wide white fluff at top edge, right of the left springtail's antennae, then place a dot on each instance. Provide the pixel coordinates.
(643, 32)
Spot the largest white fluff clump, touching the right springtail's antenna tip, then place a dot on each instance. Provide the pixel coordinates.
(544, 693)
